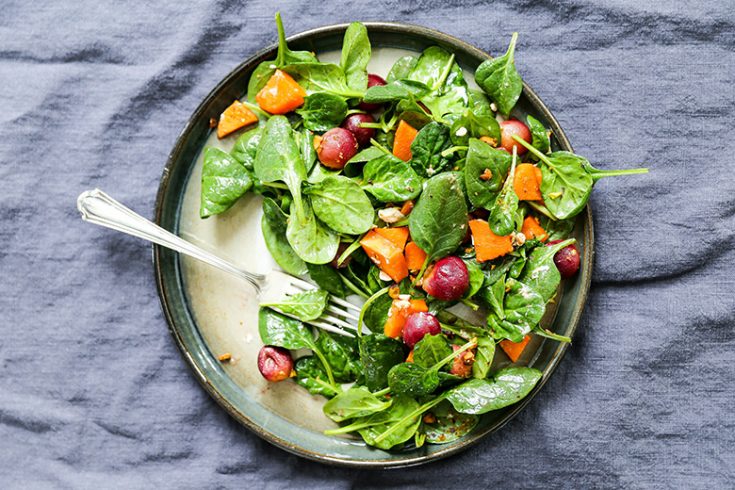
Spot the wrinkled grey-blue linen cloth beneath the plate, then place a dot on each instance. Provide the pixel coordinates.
(93, 391)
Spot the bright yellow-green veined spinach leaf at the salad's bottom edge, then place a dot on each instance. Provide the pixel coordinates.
(402, 419)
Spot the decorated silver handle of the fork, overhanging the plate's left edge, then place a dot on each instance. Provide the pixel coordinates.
(99, 208)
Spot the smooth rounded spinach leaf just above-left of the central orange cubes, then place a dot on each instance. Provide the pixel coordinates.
(342, 205)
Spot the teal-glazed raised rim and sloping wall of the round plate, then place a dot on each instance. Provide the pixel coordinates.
(171, 290)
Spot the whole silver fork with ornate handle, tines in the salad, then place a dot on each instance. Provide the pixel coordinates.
(99, 208)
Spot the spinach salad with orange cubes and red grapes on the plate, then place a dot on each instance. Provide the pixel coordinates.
(415, 192)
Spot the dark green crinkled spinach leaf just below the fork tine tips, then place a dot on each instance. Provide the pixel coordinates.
(378, 355)
